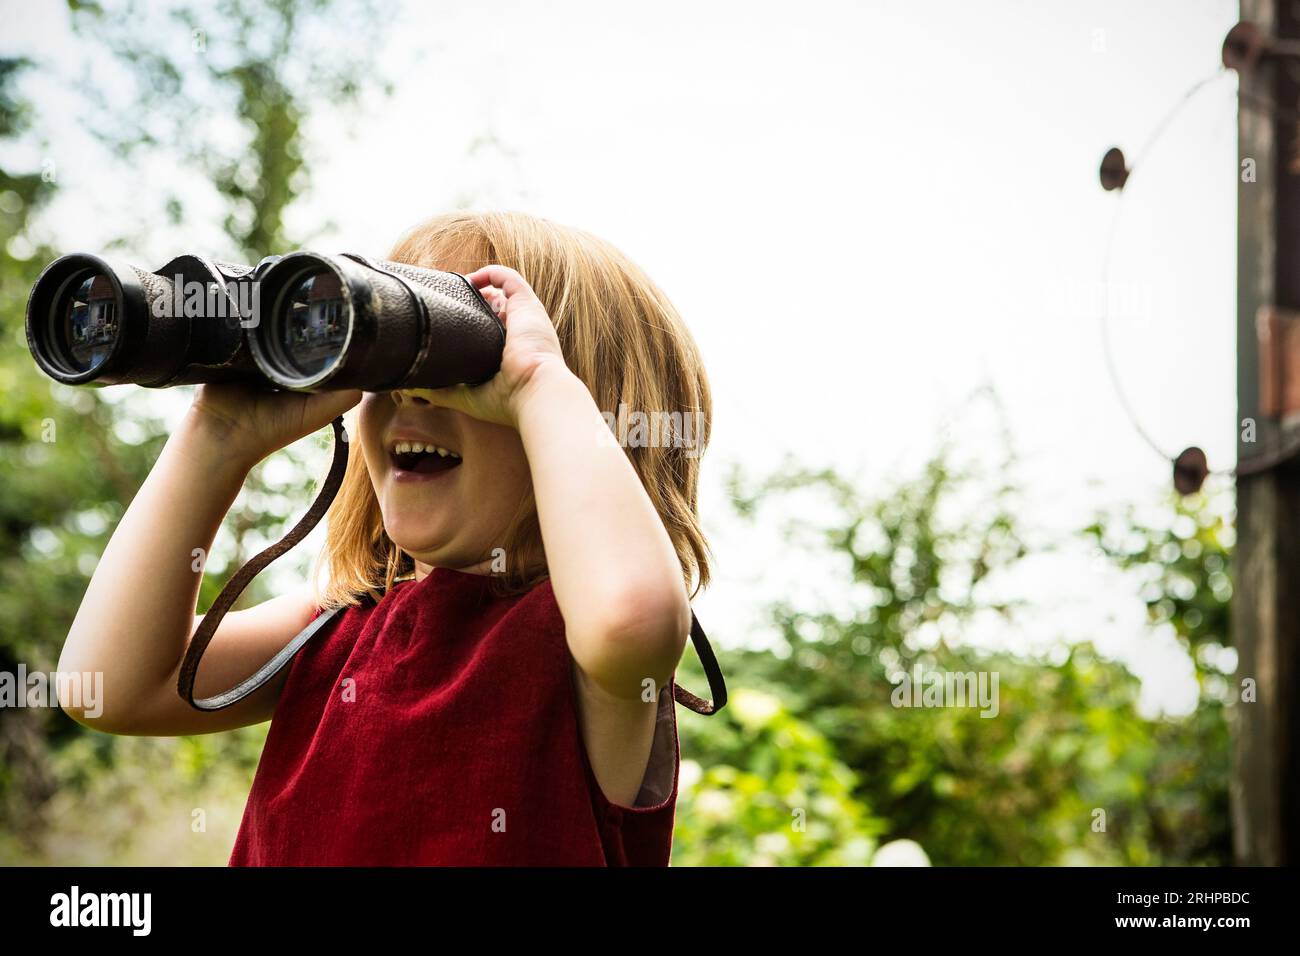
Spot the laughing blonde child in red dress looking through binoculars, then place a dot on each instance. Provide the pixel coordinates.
(500, 689)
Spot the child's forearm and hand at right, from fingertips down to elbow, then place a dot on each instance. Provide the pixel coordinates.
(617, 577)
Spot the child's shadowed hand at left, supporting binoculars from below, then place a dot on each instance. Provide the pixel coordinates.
(253, 422)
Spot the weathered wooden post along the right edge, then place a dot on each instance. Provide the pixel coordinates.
(1267, 564)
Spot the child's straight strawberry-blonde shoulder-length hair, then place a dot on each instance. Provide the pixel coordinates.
(619, 334)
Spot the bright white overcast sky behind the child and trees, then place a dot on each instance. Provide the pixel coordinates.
(865, 211)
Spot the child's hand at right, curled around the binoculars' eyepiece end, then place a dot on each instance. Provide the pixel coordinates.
(532, 347)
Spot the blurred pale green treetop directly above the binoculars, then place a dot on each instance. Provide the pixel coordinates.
(262, 64)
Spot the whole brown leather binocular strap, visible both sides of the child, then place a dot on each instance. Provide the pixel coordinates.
(236, 586)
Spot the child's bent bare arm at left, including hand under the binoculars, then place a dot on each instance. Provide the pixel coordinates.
(138, 613)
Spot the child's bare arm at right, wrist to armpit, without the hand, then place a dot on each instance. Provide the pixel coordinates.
(616, 573)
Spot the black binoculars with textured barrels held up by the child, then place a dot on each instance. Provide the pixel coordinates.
(301, 322)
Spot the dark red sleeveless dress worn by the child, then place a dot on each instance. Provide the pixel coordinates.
(440, 728)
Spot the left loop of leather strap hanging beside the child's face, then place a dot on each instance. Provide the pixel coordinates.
(236, 586)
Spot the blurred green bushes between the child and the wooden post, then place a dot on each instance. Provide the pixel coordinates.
(1068, 772)
